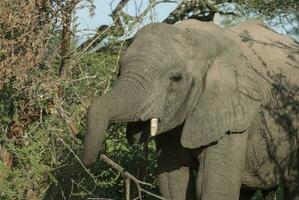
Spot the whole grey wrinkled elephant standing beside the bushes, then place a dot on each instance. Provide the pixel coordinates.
(227, 104)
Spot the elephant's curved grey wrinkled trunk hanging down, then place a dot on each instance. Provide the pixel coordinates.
(118, 104)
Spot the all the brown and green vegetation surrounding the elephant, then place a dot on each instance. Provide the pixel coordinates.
(46, 84)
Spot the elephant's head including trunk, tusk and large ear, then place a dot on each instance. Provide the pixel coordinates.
(170, 76)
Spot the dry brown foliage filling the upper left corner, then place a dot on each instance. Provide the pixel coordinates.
(22, 27)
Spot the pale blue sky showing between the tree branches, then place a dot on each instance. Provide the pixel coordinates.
(87, 25)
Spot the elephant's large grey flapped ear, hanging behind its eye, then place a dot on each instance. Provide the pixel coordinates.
(227, 104)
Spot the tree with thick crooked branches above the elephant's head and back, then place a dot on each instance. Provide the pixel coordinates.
(203, 10)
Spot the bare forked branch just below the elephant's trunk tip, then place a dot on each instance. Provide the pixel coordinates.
(128, 178)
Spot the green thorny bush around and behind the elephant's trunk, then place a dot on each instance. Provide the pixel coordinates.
(45, 153)
